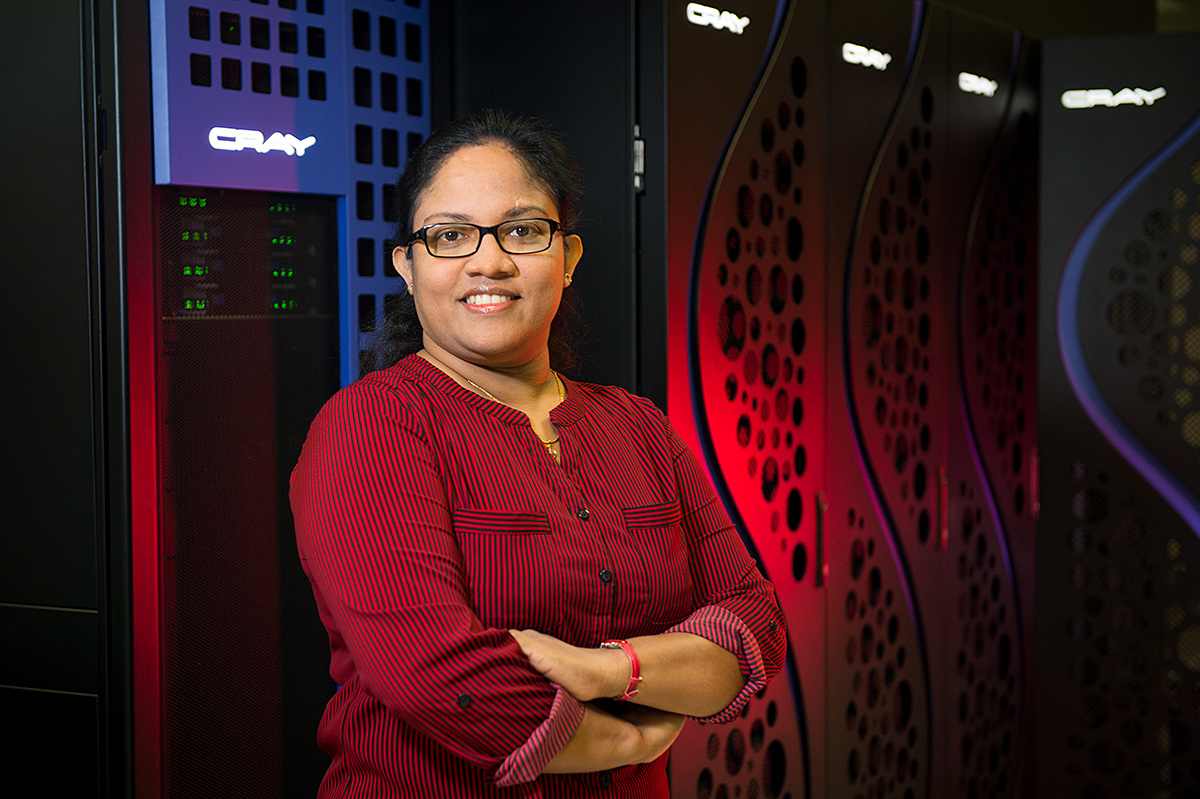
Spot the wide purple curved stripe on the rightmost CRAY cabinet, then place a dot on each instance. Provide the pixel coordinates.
(1179, 496)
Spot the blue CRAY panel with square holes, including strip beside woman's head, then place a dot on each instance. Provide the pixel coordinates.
(311, 97)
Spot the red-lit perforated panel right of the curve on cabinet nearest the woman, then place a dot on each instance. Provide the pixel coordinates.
(757, 345)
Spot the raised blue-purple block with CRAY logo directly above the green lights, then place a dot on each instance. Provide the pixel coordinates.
(248, 95)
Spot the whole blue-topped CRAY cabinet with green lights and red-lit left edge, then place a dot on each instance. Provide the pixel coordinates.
(260, 265)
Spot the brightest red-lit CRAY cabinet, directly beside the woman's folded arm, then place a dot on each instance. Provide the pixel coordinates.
(746, 353)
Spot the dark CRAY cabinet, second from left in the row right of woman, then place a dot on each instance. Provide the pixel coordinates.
(886, 404)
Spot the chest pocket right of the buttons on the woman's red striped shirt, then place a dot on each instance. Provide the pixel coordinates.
(658, 537)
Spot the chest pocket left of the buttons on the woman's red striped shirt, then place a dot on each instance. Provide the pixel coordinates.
(512, 568)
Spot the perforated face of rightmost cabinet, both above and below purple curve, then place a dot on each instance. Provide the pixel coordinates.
(1133, 609)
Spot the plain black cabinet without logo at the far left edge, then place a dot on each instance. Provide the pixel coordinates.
(64, 575)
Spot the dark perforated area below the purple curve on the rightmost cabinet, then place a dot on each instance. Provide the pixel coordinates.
(1132, 641)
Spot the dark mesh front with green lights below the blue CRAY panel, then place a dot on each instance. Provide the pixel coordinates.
(249, 331)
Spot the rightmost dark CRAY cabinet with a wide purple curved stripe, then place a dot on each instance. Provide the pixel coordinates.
(1119, 352)
